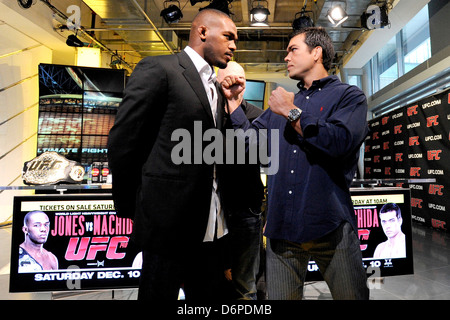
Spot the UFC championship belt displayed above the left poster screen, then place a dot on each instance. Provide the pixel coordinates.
(51, 168)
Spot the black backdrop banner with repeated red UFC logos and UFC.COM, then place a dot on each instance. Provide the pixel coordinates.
(413, 142)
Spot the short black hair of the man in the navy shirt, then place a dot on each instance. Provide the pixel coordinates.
(318, 37)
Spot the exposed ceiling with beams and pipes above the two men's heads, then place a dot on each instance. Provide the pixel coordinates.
(138, 24)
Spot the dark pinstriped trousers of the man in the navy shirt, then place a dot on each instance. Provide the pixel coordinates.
(338, 256)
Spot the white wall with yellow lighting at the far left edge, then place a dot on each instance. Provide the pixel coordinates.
(25, 44)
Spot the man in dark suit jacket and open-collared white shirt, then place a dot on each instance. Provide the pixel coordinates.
(174, 206)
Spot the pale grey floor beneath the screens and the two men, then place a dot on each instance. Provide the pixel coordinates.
(430, 281)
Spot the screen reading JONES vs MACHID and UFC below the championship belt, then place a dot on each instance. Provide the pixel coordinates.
(71, 242)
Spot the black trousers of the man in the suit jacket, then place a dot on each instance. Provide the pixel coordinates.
(199, 272)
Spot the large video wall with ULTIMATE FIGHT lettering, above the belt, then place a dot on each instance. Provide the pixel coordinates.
(77, 107)
